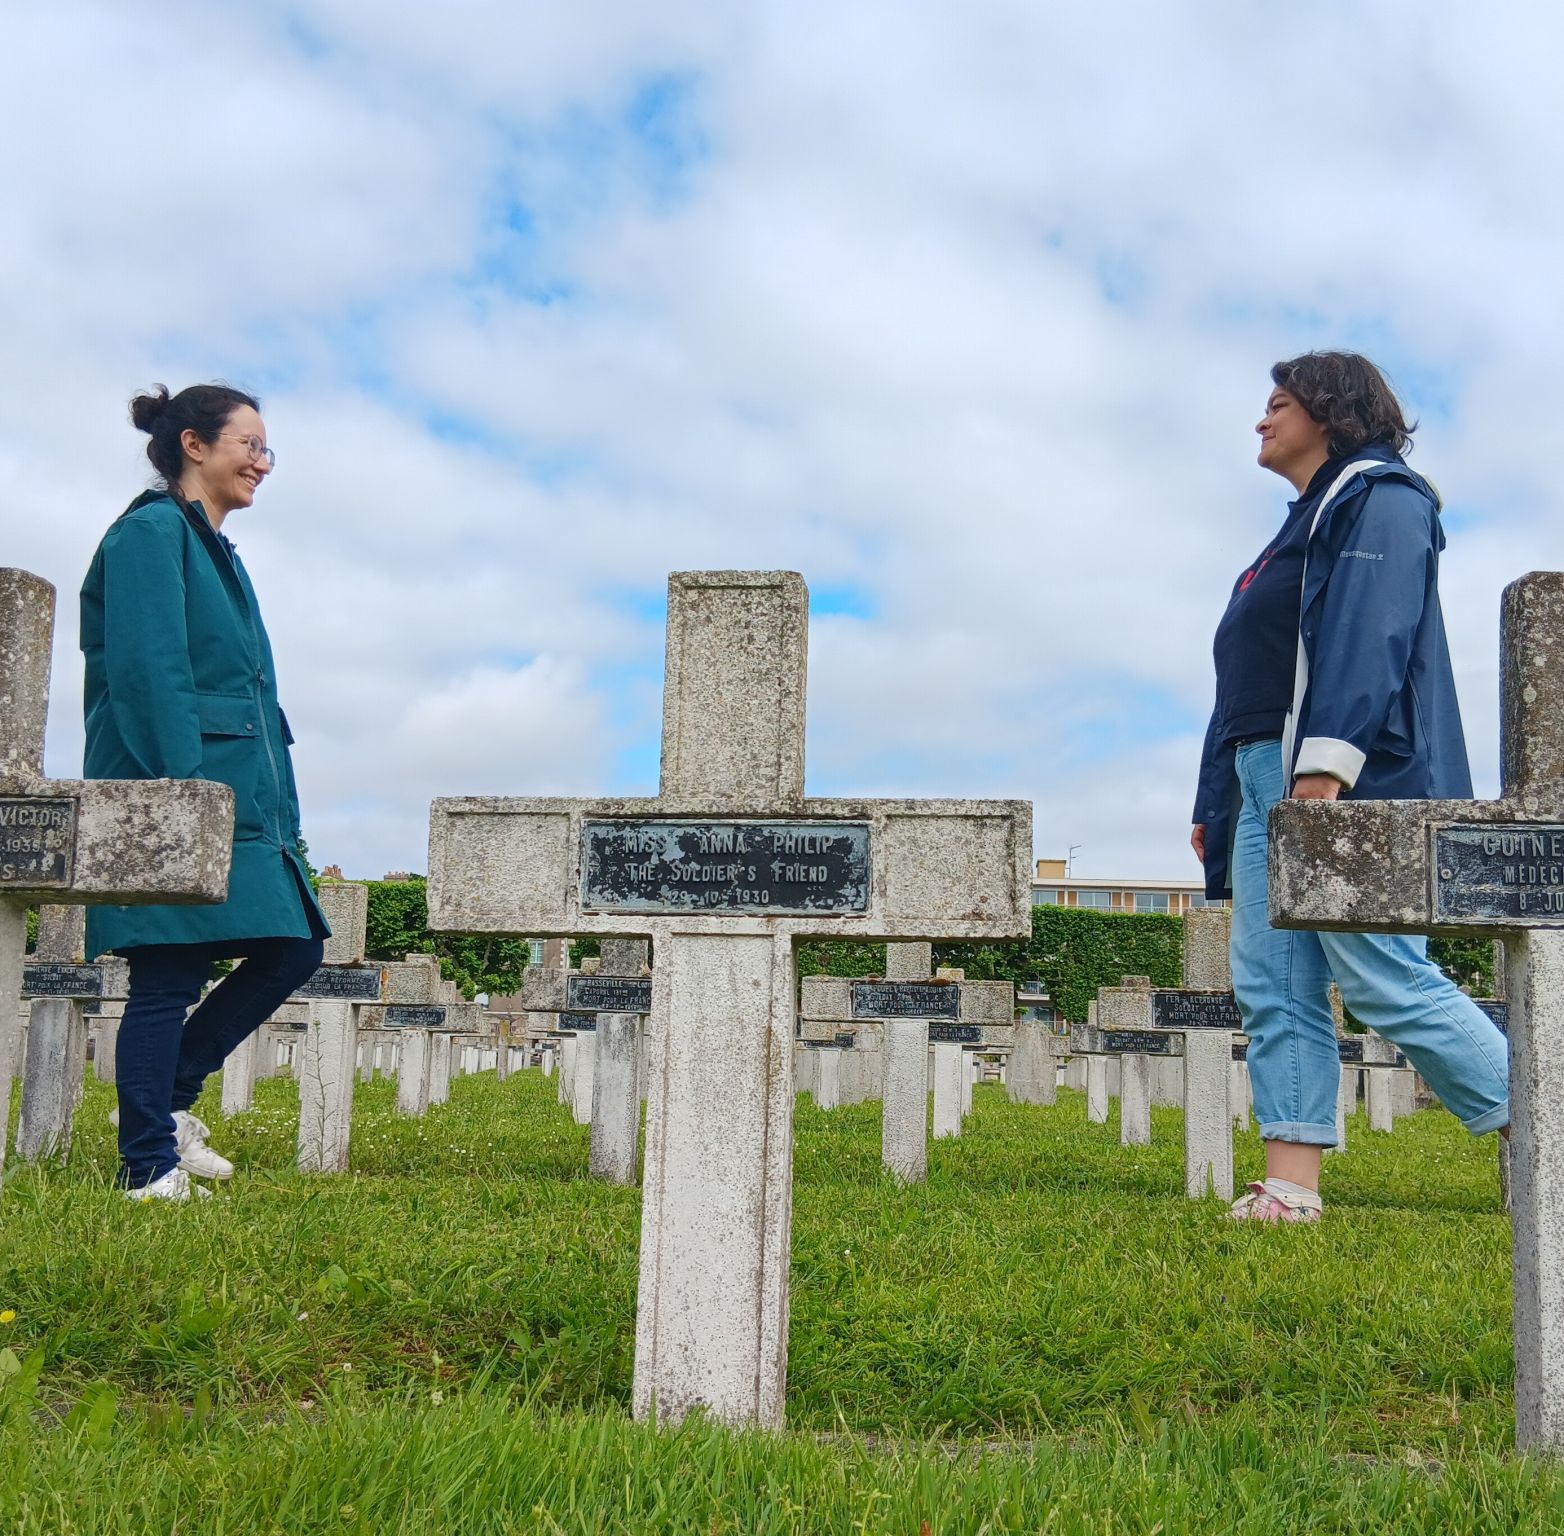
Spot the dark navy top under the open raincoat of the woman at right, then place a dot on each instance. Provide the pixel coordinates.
(1257, 645)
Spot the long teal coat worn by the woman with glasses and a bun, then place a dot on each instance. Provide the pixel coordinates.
(181, 686)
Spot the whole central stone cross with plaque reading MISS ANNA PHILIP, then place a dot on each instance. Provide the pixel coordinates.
(725, 870)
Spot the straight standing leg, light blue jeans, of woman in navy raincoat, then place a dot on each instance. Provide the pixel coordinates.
(1282, 985)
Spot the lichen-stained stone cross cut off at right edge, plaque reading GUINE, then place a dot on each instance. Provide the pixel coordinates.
(1485, 869)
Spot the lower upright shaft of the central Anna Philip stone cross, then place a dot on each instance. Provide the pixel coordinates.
(719, 1205)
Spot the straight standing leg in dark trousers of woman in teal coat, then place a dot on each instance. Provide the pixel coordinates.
(165, 982)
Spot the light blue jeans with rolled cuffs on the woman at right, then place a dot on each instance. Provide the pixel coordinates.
(1282, 982)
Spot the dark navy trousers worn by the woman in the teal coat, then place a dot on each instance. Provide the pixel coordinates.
(163, 1060)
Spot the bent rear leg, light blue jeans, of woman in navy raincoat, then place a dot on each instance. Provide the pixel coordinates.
(1391, 986)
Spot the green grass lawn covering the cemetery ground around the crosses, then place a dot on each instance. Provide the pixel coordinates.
(1046, 1332)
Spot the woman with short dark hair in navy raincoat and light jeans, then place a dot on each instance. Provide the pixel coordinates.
(1335, 681)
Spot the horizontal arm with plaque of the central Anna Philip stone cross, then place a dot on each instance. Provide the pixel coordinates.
(872, 869)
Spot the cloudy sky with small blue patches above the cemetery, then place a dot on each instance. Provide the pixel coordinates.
(963, 310)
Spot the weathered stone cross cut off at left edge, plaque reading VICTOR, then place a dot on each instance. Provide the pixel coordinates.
(82, 842)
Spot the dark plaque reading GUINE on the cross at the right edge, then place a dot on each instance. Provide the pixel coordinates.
(1505, 875)
